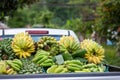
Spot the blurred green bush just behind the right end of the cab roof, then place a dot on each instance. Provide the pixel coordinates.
(79, 26)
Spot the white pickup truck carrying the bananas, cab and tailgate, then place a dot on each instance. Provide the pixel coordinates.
(113, 72)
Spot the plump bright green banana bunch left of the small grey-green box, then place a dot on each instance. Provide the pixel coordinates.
(43, 58)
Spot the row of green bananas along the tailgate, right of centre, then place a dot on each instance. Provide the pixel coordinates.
(75, 66)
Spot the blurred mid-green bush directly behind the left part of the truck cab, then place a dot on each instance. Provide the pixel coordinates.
(30, 15)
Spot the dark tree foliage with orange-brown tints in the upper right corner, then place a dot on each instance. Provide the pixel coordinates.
(109, 17)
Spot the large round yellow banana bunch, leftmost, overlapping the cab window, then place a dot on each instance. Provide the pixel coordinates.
(23, 45)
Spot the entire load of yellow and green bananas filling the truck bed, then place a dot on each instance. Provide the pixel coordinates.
(22, 55)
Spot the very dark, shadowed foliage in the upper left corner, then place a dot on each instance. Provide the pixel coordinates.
(8, 7)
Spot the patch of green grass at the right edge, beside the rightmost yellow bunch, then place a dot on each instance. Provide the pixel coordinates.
(110, 55)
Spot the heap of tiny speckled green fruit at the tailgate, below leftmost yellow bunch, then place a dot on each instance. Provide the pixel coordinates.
(29, 67)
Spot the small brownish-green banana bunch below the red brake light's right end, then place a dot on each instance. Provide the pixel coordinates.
(49, 44)
